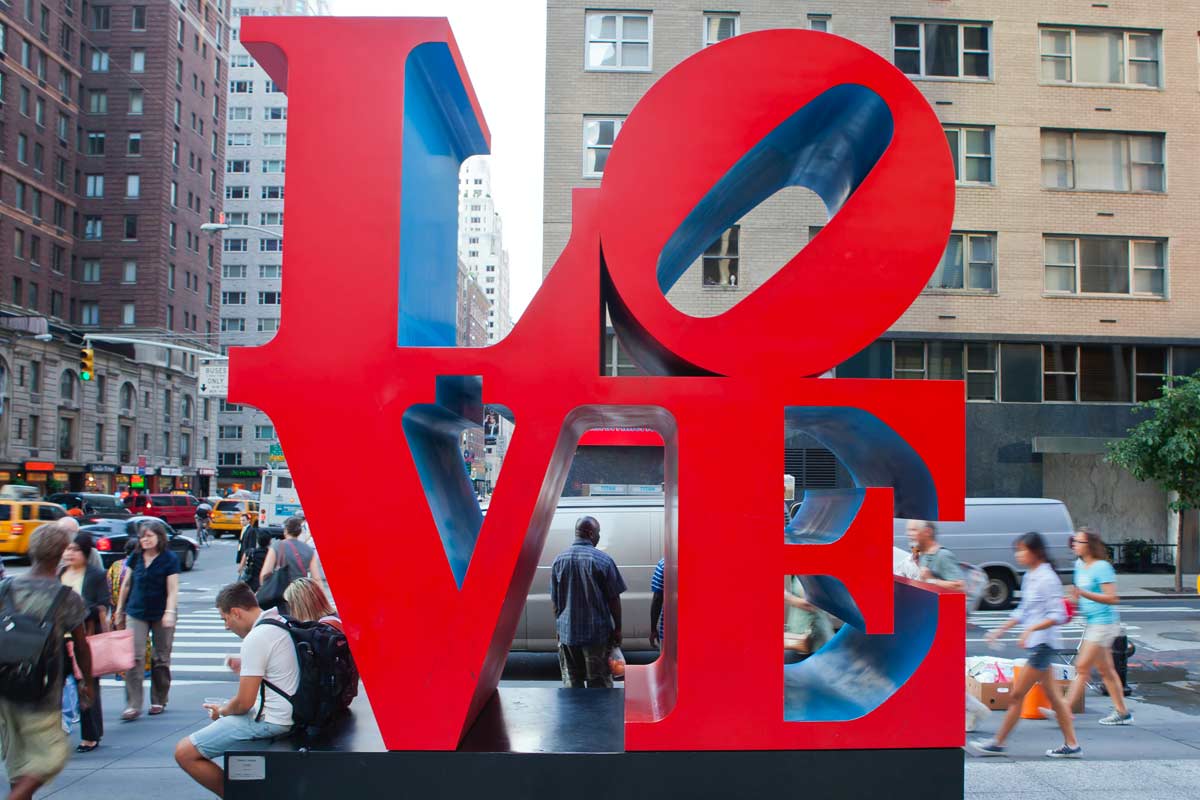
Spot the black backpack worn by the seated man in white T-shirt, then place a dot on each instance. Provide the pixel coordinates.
(329, 681)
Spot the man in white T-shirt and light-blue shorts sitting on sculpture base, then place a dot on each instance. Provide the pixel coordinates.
(257, 712)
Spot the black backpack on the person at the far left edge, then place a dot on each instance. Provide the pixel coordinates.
(31, 654)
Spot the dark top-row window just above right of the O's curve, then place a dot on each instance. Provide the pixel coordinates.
(943, 50)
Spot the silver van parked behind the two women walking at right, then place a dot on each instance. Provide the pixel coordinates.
(986, 540)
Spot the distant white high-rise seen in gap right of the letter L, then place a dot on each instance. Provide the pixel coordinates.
(482, 244)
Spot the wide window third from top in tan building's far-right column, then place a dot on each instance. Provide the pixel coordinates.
(1106, 266)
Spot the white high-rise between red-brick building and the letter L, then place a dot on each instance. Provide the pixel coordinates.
(253, 258)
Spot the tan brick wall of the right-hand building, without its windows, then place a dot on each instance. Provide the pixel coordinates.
(1016, 208)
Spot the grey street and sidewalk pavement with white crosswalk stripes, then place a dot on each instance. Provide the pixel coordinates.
(1166, 742)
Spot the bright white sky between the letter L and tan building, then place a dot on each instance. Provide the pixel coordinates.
(505, 49)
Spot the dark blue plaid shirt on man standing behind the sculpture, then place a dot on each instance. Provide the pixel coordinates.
(583, 582)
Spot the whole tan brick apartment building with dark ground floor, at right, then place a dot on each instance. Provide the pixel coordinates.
(1067, 290)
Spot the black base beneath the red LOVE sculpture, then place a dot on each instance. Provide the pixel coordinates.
(538, 743)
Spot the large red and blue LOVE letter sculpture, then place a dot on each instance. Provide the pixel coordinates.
(364, 371)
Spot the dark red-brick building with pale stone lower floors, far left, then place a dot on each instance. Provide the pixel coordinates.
(112, 130)
